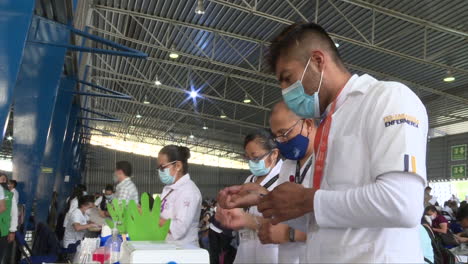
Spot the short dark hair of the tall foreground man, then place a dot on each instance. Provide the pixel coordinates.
(296, 33)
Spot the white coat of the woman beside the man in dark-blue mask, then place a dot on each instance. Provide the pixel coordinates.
(250, 248)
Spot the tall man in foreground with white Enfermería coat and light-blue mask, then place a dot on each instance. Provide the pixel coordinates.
(369, 174)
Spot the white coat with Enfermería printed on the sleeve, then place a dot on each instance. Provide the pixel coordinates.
(370, 202)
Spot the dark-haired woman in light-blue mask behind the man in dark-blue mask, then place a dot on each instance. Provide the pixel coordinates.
(265, 165)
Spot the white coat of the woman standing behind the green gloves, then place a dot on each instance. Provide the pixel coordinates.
(183, 207)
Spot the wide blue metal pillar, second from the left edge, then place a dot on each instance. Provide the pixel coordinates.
(35, 97)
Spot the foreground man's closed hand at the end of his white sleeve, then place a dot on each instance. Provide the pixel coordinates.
(287, 201)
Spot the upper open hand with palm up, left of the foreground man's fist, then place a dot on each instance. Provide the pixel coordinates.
(241, 196)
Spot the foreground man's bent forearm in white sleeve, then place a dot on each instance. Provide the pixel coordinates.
(394, 200)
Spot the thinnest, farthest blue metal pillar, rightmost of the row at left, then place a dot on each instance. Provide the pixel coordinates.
(63, 184)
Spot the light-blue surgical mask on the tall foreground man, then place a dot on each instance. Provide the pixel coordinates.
(302, 104)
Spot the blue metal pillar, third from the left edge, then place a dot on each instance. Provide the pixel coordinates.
(53, 150)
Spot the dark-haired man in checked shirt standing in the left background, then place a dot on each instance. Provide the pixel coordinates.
(125, 189)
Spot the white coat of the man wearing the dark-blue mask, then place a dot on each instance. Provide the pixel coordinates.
(295, 252)
